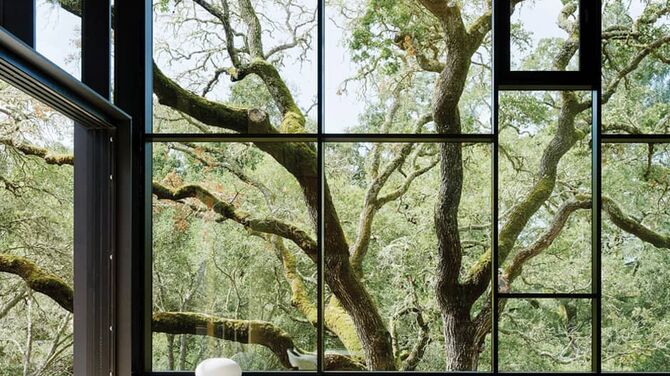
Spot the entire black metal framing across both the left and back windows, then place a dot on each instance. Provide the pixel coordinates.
(124, 287)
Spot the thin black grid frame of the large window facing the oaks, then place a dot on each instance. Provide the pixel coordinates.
(586, 78)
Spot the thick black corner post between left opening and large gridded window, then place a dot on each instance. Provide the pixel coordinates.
(133, 93)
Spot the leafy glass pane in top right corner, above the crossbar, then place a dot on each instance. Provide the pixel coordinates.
(636, 73)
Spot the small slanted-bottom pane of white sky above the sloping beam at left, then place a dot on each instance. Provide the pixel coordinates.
(58, 35)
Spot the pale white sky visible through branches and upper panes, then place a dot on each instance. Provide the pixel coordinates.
(58, 31)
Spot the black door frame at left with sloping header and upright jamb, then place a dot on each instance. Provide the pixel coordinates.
(97, 206)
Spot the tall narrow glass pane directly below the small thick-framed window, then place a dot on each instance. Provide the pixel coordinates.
(544, 192)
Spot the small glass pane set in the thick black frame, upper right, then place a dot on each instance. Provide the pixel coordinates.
(545, 35)
